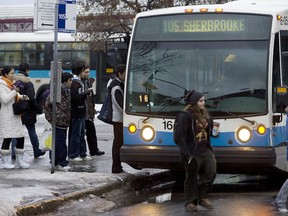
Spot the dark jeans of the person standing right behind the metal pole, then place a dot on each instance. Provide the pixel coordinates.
(60, 147)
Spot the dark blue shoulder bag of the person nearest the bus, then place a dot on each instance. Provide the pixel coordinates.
(106, 112)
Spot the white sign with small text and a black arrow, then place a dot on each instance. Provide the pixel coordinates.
(44, 14)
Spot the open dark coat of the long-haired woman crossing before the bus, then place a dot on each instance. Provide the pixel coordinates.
(186, 135)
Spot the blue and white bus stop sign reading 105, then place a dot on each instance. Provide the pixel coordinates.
(67, 17)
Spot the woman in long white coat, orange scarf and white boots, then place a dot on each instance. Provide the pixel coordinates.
(10, 124)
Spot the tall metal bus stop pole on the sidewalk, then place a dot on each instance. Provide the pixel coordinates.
(54, 83)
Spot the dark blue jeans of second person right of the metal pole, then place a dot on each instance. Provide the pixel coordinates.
(77, 145)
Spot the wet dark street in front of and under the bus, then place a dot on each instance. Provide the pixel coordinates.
(232, 195)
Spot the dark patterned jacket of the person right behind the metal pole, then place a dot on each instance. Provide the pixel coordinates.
(63, 109)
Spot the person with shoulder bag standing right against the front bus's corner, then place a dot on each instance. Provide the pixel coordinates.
(117, 88)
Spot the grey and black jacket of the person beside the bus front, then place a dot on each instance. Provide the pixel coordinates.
(117, 99)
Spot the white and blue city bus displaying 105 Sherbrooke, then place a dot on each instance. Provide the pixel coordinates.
(236, 54)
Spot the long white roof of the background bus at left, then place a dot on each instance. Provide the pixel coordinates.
(38, 36)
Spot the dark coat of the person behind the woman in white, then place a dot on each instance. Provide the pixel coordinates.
(27, 88)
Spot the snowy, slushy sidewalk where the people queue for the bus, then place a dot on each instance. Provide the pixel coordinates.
(36, 190)
